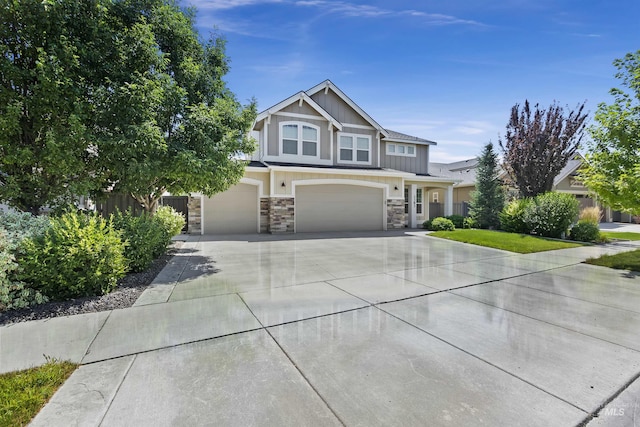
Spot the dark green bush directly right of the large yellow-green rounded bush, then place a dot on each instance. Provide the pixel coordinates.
(145, 239)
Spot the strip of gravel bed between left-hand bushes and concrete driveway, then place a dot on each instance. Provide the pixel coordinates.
(129, 289)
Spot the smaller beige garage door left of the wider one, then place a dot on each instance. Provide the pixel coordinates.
(234, 211)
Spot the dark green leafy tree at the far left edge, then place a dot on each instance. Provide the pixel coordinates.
(47, 50)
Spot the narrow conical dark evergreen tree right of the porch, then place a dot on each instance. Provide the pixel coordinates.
(487, 201)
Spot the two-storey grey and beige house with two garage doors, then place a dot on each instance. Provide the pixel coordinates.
(323, 164)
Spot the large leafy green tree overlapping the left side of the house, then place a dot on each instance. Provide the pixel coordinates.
(178, 127)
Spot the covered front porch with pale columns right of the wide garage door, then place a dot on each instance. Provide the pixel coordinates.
(420, 193)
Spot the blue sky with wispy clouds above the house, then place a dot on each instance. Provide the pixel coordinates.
(446, 71)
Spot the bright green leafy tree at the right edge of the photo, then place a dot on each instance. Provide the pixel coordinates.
(612, 168)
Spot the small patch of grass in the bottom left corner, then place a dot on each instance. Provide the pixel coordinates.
(24, 393)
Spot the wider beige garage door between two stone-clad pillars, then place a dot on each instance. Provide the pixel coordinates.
(336, 207)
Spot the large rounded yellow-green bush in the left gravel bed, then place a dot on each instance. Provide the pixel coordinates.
(78, 255)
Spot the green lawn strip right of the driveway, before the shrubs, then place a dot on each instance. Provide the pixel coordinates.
(520, 243)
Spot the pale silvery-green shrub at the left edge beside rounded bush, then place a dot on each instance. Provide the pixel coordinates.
(15, 227)
